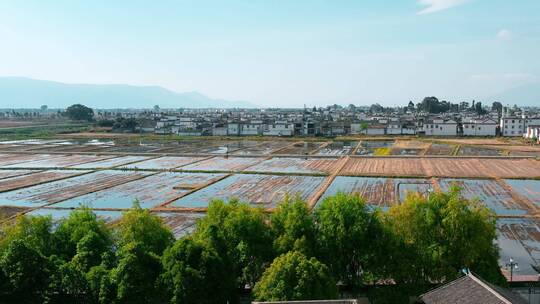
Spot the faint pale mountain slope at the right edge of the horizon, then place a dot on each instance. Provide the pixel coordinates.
(525, 95)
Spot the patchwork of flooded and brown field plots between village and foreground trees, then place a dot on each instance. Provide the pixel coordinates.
(177, 179)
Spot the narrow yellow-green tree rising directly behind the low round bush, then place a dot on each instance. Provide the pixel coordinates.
(293, 228)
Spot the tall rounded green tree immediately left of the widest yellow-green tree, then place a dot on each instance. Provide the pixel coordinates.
(345, 232)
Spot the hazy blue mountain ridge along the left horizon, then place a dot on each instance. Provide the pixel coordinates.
(18, 92)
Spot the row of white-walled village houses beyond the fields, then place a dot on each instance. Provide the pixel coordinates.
(302, 123)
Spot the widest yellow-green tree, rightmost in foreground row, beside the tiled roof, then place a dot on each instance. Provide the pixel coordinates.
(444, 233)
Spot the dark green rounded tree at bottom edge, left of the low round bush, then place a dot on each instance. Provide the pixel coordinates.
(192, 269)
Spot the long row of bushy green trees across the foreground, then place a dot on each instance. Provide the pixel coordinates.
(290, 254)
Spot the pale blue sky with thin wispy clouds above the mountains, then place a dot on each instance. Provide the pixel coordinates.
(281, 53)
